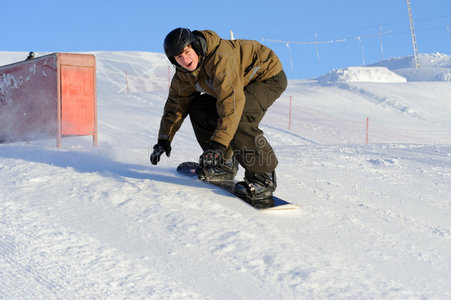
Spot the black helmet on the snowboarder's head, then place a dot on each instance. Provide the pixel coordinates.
(177, 40)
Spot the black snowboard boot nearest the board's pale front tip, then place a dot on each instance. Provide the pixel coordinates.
(258, 189)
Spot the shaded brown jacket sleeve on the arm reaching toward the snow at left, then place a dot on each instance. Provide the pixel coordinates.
(181, 93)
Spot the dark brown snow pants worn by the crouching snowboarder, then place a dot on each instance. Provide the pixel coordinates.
(249, 147)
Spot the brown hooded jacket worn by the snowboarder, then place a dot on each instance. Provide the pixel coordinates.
(225, 69)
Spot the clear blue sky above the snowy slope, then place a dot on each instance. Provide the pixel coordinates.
(75, 26)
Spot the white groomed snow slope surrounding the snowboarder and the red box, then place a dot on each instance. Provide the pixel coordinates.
(102, 223)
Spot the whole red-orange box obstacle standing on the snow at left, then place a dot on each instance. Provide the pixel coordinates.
(49, 96)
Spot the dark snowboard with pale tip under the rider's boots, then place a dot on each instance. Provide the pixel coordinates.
(189, 169)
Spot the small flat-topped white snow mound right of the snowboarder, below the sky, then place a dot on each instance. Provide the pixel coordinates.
(361, 74)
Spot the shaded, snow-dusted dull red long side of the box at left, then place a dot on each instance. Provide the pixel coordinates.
(28, 99)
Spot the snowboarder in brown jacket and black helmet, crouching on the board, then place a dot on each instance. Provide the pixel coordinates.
(226, 87)
